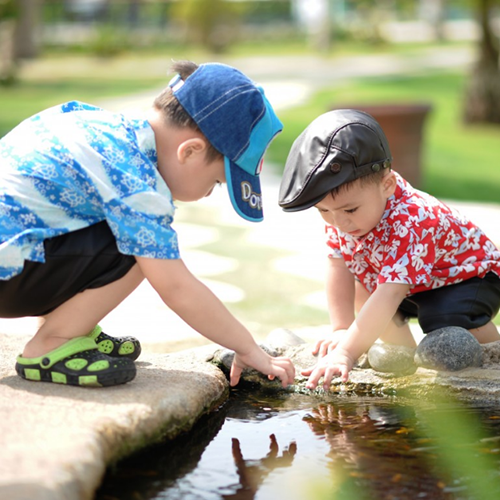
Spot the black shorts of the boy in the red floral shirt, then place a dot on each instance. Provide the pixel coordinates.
(469, 304)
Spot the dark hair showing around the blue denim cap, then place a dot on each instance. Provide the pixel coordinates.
(174, 113)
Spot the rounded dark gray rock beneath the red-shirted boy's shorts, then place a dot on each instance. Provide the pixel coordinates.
(451, 349)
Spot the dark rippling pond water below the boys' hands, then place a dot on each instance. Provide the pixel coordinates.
(337, 447)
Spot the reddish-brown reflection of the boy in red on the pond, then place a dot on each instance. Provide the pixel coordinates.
(373, 445)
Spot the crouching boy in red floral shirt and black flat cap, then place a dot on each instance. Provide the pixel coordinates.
(395, 252)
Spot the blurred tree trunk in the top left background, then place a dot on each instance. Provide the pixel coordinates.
(27, 34)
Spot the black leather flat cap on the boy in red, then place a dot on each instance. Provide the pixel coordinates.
(337, 147)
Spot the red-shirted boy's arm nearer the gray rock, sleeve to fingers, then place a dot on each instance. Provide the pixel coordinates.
(369, 325)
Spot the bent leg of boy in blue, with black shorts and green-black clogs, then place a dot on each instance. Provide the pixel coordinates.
(83, 278)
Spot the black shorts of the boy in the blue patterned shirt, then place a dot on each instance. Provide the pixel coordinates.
(87, 258)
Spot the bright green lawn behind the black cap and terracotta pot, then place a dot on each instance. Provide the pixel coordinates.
(459, 162)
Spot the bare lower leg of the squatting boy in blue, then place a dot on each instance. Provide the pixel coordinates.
(80, 314)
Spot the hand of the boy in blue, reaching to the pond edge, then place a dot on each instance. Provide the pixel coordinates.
(259, 360)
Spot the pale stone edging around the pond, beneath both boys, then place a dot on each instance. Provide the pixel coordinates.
(57, 441)
